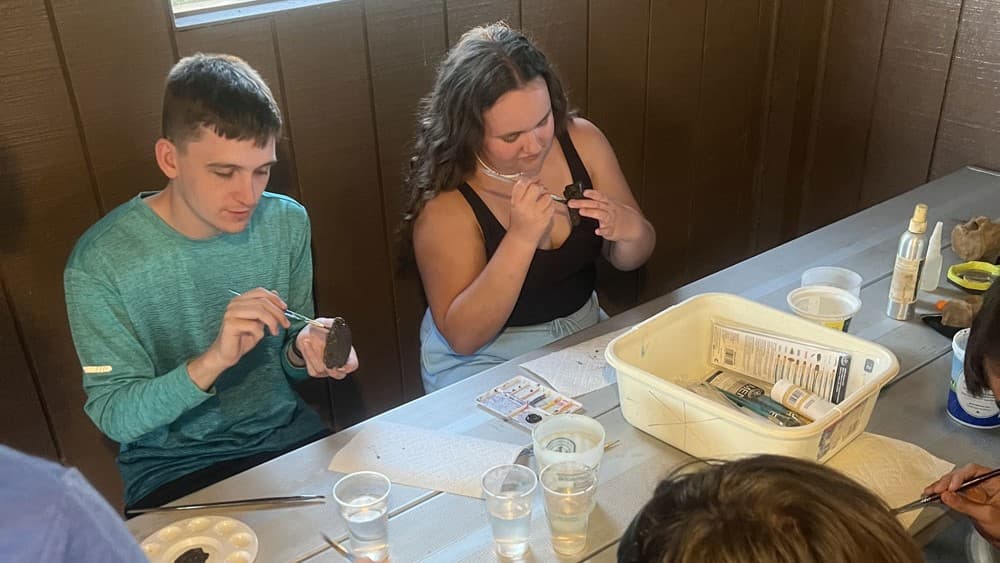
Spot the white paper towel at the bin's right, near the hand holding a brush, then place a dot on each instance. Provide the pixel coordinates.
(896, 471)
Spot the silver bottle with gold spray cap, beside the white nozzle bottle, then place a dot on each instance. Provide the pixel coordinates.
(909, 261)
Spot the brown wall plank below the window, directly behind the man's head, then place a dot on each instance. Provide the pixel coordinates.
(253, 41)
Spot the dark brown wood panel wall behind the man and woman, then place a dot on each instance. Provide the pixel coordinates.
(739, 124)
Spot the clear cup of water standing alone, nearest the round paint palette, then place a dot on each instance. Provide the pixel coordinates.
(362, 498)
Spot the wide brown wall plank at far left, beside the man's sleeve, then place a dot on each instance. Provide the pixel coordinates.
(48, 200)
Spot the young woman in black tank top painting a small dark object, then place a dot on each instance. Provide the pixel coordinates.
(504, 268)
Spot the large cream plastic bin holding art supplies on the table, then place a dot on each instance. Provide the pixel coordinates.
(657, 359)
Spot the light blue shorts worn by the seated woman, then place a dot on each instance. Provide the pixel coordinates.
(441, 366)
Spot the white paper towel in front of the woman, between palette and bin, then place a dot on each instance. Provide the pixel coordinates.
(578, 369)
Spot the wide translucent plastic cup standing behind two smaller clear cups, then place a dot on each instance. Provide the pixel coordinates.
(568, 437)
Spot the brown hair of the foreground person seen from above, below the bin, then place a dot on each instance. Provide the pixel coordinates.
(765, 509)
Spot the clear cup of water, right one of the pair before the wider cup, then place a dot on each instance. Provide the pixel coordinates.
(569, 488)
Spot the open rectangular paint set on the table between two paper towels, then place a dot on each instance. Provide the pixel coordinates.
(525, 402)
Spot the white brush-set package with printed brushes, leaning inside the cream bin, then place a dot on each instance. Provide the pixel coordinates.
(770, 357)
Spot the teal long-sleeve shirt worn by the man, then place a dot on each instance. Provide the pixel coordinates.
(143, 300)
